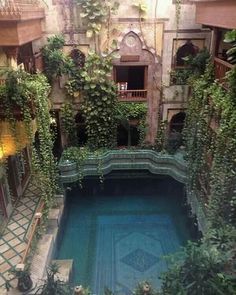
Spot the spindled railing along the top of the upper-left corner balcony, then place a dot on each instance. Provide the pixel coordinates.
(20, 9)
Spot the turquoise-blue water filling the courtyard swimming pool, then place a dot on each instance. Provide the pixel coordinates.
(117, 235)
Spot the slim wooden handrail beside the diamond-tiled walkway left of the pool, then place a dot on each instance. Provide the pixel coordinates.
(32, 230)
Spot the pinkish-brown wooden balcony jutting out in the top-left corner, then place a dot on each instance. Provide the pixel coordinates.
(20, 21)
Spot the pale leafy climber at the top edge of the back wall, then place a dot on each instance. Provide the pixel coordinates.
(96, 12)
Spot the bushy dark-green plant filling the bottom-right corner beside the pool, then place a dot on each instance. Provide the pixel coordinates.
(199, 273)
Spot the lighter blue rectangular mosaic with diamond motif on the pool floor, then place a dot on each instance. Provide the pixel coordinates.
(130, 249)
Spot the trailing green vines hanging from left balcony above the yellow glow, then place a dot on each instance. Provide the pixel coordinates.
(29, 93)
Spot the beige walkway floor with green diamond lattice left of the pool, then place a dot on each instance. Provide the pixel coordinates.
(12, 243)
